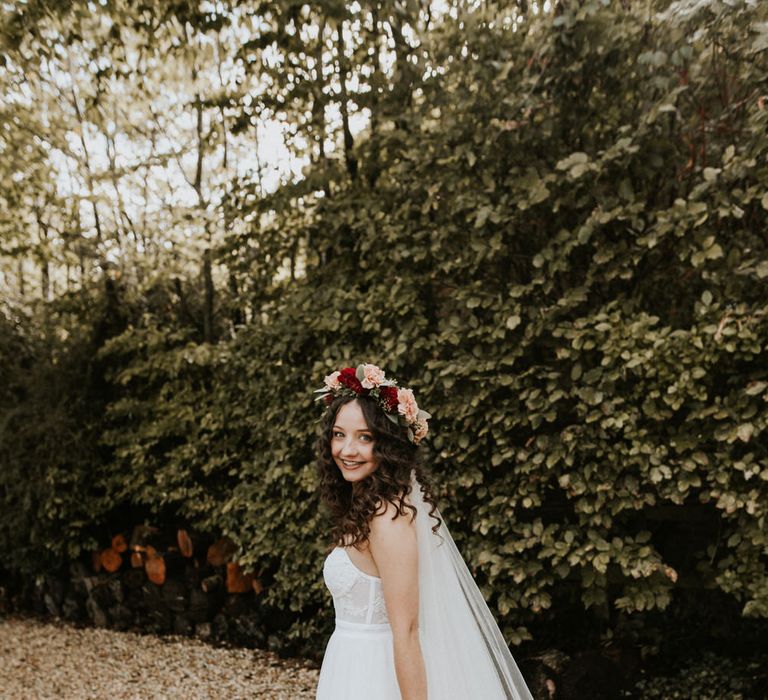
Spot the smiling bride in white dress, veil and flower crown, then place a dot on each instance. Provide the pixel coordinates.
(410, 620)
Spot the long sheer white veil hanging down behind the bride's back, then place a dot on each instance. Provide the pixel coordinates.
(464, 651)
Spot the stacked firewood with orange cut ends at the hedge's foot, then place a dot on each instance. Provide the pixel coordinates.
(188, 585)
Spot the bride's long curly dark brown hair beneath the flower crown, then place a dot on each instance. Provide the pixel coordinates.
(351, 511)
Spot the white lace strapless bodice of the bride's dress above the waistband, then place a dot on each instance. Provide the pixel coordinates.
(357, 596)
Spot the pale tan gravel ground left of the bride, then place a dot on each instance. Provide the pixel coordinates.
(41, 660)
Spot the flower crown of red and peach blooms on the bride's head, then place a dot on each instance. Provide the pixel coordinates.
(398, 404)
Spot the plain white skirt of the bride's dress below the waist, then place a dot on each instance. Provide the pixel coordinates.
(359, 664)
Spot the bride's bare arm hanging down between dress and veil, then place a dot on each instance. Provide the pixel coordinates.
(394, 548)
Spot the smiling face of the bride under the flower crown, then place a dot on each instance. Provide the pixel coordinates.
(352, 443)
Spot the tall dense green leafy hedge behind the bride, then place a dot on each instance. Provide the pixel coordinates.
(560, 246)
